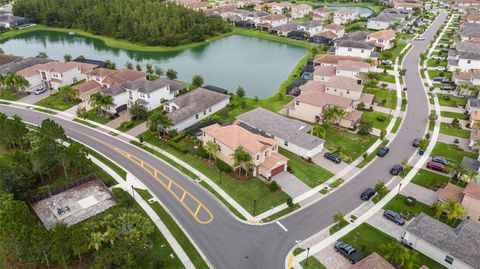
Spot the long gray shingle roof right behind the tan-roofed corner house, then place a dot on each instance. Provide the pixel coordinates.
(293, 131)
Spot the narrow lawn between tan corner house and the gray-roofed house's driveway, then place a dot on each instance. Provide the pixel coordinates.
(310, 173)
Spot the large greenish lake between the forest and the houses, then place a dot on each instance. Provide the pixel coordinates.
(258, 65)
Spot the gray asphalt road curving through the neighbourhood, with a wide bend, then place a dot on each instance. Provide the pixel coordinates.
(231, 244)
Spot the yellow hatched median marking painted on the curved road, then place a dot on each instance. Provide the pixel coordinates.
(155, 173)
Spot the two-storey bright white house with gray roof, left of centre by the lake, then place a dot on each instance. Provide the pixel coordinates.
(148, 93)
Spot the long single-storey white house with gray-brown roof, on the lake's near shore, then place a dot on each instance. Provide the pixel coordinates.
(190, 108)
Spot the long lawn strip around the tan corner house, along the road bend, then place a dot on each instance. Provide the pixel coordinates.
(243, 191)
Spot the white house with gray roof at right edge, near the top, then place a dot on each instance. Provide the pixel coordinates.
(465, 57)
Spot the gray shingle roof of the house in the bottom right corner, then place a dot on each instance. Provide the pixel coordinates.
(462, 242)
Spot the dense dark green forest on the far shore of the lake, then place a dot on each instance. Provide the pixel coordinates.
(144, 21)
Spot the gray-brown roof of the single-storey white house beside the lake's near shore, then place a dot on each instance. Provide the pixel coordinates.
(194, 102)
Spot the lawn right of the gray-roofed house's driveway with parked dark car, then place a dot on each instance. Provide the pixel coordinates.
(351, 145)
